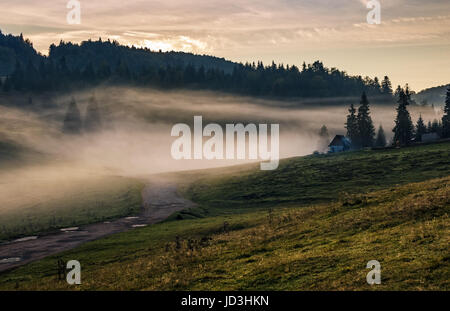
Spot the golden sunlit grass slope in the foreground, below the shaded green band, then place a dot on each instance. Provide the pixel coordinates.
(322, 247)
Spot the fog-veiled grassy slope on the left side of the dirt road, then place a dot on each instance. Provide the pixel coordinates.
(40, 193)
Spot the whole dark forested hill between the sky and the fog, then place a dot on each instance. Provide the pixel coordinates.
(90, 63)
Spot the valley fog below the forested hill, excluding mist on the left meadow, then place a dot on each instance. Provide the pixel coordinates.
(136, 125)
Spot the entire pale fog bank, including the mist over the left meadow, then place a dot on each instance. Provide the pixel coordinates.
(133, 138)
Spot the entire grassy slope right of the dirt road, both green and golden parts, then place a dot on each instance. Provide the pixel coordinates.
(311, 225)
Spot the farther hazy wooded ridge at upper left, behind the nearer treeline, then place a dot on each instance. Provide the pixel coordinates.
(16, 48)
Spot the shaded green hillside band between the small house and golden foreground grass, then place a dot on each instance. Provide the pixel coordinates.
(314, 179)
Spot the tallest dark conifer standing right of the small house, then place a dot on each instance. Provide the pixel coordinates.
(403, 130)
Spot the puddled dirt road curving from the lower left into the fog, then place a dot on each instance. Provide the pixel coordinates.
(159, 201)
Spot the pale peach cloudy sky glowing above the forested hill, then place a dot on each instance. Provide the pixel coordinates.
(411, 45)
